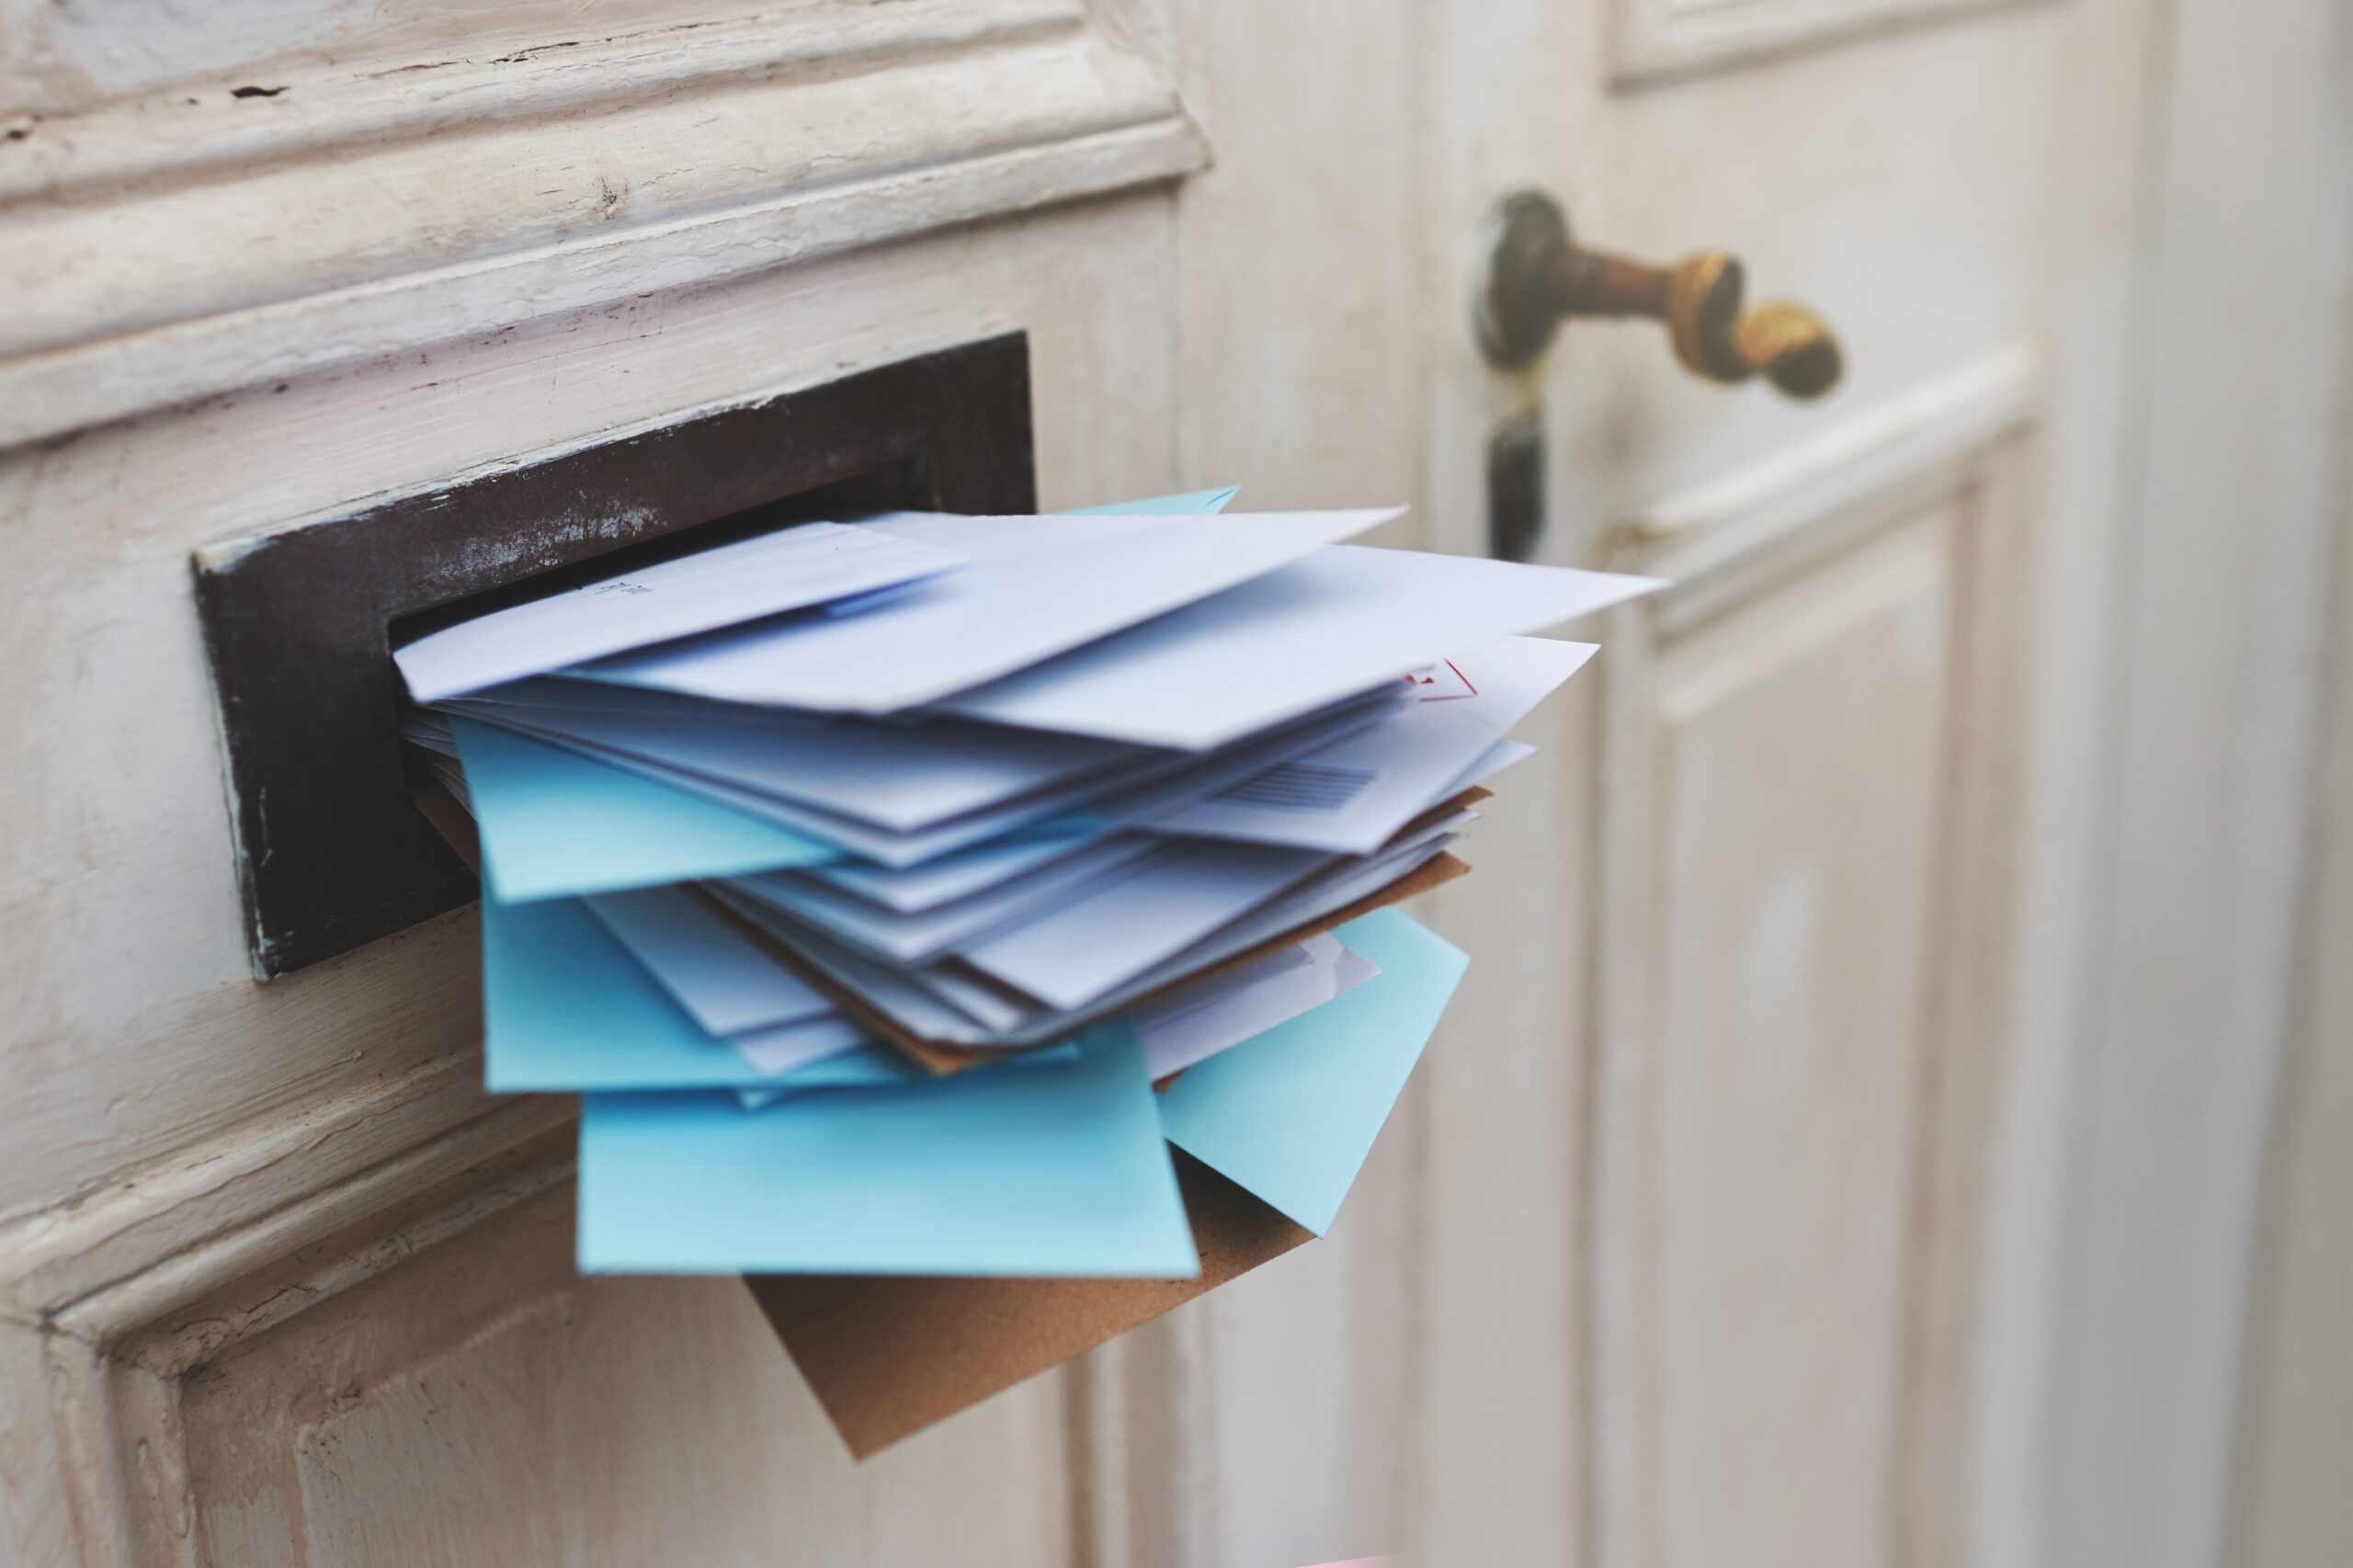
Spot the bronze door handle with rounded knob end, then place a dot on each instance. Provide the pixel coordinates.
(1538, 274)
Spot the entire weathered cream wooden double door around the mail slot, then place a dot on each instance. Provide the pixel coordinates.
(1714, 1228)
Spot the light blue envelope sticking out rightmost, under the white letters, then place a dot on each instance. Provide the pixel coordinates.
(1291, 1115)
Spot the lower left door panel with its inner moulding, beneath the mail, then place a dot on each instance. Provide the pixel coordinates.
(434, 1383)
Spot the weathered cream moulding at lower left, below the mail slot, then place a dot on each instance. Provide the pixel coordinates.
(145, 1284)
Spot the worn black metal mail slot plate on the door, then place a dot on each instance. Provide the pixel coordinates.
(300, 623)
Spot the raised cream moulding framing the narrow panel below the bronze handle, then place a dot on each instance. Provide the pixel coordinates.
(1971, 439)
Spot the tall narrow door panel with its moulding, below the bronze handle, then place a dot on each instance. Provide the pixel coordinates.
(1804, 997)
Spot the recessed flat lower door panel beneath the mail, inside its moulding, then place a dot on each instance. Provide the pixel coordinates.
(467, 1404)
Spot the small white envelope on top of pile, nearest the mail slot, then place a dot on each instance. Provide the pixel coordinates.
(719, 587)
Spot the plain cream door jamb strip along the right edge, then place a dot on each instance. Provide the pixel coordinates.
(2237, 484)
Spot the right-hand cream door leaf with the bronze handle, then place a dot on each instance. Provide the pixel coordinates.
(1808, 1251)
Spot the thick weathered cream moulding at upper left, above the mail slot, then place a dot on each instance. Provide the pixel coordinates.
(399, 206)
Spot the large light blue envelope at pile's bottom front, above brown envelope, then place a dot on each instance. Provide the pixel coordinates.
(1046, 1171)
